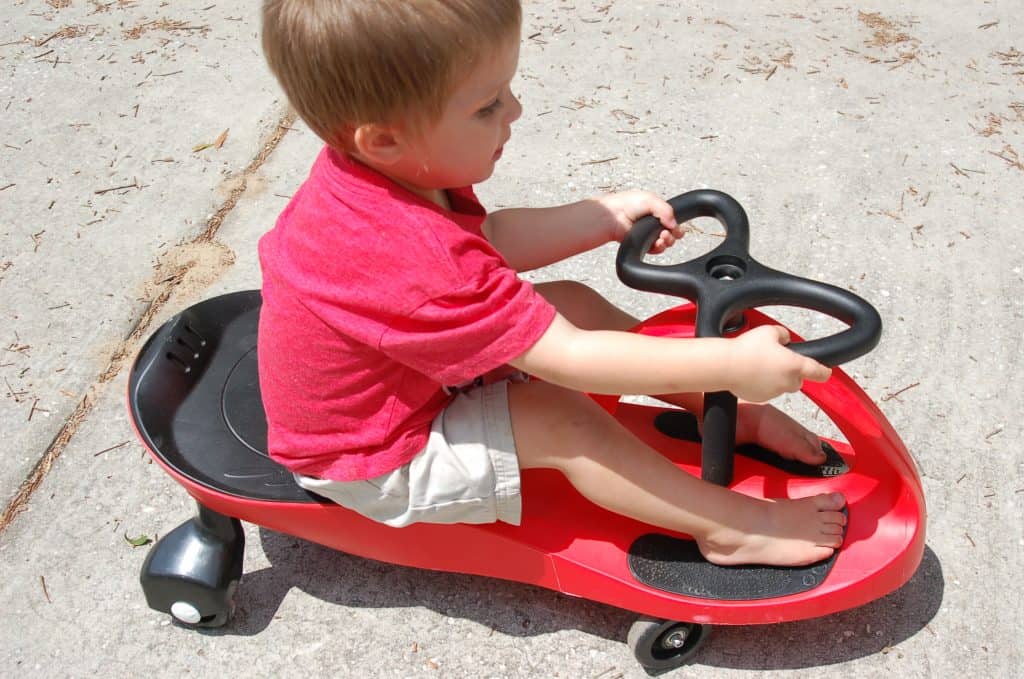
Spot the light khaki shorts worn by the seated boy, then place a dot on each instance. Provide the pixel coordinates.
(467, 474)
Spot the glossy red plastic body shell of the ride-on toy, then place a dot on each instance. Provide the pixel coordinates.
(570, 545)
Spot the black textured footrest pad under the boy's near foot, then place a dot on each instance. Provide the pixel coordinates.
(676, 566)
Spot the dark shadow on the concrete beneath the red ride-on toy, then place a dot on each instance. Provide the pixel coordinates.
(522, 611)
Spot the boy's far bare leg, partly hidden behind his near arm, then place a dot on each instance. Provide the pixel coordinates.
(758, 423)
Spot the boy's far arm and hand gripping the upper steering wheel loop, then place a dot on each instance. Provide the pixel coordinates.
(532, 238)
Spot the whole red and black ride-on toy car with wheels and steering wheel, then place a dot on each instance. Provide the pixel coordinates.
(195, 401)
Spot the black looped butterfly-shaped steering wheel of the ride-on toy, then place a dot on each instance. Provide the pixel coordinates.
(728, 281)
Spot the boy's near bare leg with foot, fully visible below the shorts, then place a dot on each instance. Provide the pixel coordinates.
(561, 430)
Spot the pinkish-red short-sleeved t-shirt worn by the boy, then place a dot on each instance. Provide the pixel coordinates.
(373, 300)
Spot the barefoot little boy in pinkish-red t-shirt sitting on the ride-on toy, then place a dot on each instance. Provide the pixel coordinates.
(386, 280)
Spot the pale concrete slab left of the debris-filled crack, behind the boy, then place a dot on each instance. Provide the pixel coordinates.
(104, 106)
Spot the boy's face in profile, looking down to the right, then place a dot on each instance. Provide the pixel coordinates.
(462, 148)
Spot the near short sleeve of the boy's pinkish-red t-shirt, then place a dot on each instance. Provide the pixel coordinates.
(473, 329)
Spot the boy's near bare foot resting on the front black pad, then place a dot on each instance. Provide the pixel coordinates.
(780, 533)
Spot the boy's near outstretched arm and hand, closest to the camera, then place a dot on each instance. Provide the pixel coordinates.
(756, 366)
